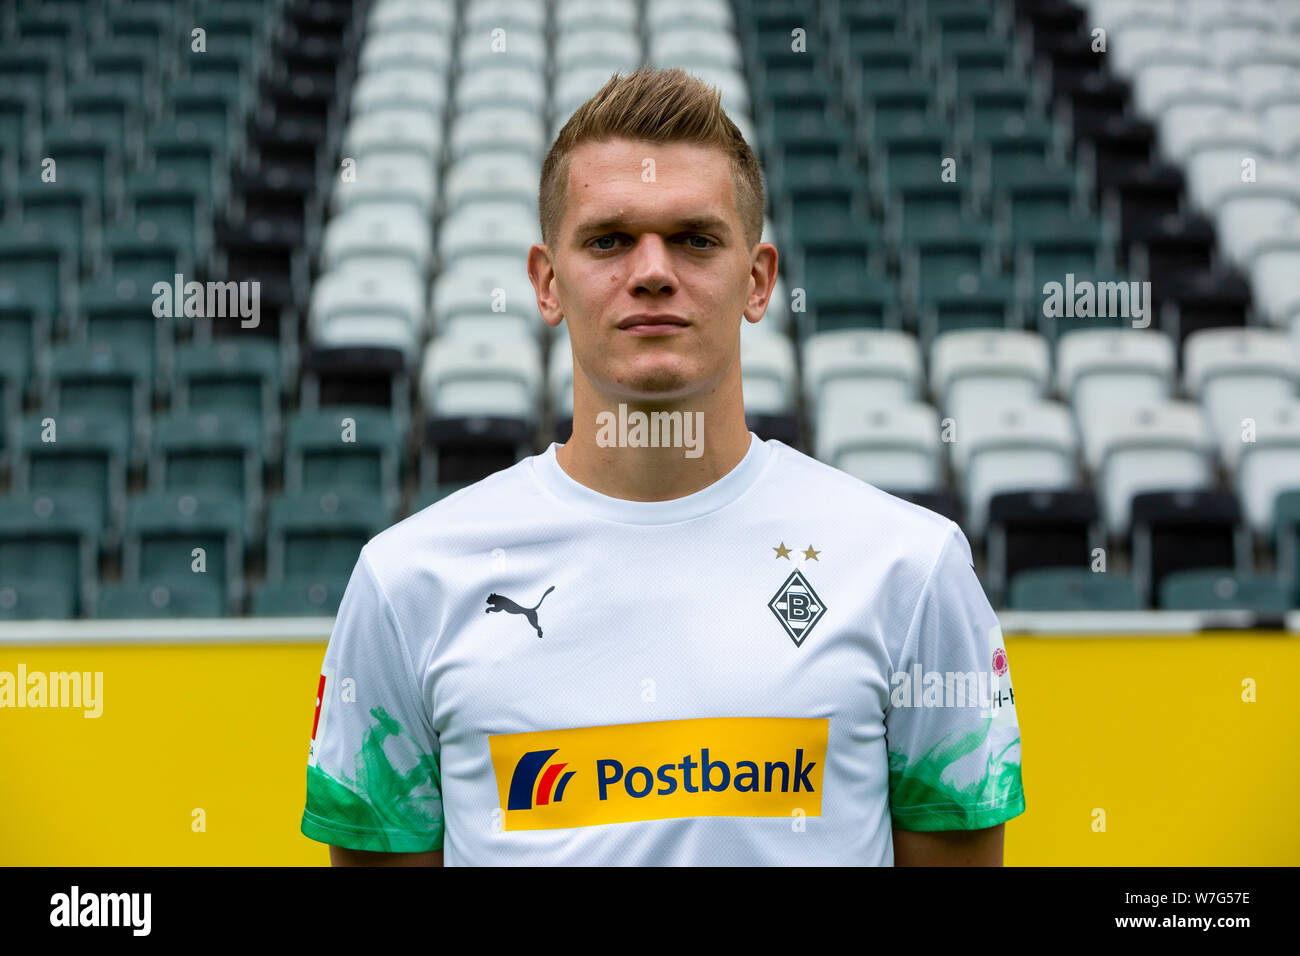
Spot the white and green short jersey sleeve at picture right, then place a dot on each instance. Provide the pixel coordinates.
(951, 729)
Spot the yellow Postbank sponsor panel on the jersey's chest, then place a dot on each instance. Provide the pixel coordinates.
(718, 767)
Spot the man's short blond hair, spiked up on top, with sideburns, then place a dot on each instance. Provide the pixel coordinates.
(661, 106)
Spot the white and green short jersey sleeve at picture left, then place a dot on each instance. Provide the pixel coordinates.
(372, 771)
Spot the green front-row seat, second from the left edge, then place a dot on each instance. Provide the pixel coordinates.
(163, 529)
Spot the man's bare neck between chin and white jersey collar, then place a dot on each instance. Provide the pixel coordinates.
(621, 469)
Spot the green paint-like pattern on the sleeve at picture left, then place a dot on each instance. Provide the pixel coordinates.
(383, 810)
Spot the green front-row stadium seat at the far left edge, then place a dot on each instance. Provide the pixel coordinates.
(51, 539)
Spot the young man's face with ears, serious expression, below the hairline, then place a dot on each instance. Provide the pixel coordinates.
(652, 230)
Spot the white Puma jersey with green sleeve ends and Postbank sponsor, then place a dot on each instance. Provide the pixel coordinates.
(774, 671)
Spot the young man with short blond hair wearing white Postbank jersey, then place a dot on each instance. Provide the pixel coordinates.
(708, 650)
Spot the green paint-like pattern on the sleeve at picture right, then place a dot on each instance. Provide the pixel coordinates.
(920, 799)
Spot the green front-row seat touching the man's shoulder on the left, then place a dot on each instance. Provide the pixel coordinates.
(320, 534)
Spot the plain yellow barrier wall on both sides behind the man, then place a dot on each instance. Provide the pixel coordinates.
(1151, 730)
